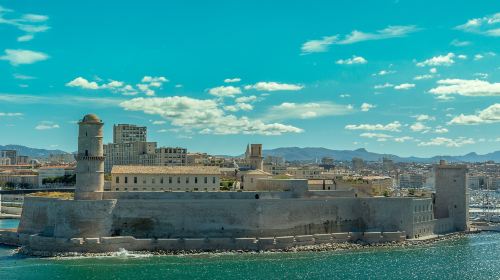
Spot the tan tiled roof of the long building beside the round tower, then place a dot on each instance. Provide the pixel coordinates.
(138, 169)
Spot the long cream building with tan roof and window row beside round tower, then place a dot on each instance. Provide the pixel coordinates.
(165, 178)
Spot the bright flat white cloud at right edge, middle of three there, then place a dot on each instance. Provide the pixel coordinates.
(462, 87)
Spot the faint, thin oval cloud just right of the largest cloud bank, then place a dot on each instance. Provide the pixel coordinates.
(288, 110)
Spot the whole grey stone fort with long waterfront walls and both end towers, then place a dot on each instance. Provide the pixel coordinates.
(286, 214)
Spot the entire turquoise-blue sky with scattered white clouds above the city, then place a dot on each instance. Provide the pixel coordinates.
(404, 77)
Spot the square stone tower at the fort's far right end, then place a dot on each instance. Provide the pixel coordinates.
(452, 197)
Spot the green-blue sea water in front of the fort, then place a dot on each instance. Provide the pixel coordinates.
(472, 257)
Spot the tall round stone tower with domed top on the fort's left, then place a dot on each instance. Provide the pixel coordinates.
(90, 159)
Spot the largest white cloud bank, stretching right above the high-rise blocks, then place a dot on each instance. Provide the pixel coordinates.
(204, 116)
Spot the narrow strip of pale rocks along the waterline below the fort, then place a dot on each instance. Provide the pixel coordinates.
(344, 246)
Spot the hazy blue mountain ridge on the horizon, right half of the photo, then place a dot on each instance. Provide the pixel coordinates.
(311, 154)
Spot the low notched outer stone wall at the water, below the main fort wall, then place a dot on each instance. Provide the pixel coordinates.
(53, 245)
